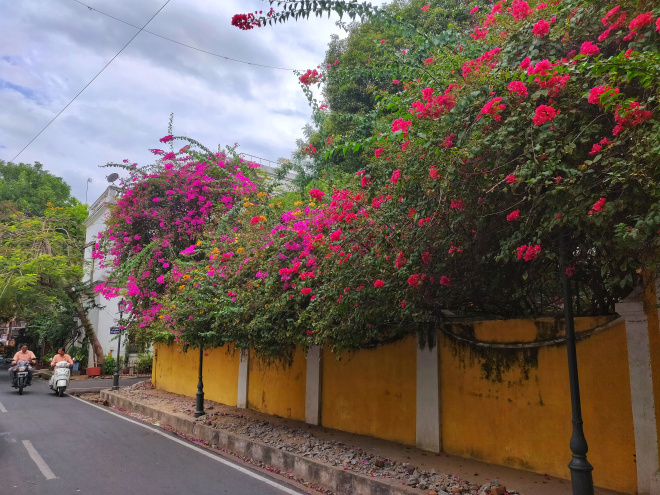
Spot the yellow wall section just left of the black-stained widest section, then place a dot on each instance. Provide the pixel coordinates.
(372, 391)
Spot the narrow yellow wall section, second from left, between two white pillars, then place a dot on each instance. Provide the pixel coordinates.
(278, 388)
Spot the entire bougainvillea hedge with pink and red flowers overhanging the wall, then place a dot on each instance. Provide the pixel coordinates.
(540, 121)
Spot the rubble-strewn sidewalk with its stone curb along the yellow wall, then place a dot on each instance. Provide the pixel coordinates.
(333, 459)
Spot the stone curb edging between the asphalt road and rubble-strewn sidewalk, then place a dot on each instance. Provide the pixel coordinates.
(337, 479)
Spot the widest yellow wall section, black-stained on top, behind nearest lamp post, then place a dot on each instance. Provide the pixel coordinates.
(513, 407)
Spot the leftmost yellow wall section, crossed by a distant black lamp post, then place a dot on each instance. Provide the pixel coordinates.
(176, 371)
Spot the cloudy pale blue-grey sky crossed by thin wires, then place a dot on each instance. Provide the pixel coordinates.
(51, 49)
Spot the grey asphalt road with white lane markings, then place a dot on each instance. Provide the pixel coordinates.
(62, 445)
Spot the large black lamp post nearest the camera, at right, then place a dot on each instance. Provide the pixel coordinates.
(581, 470)
